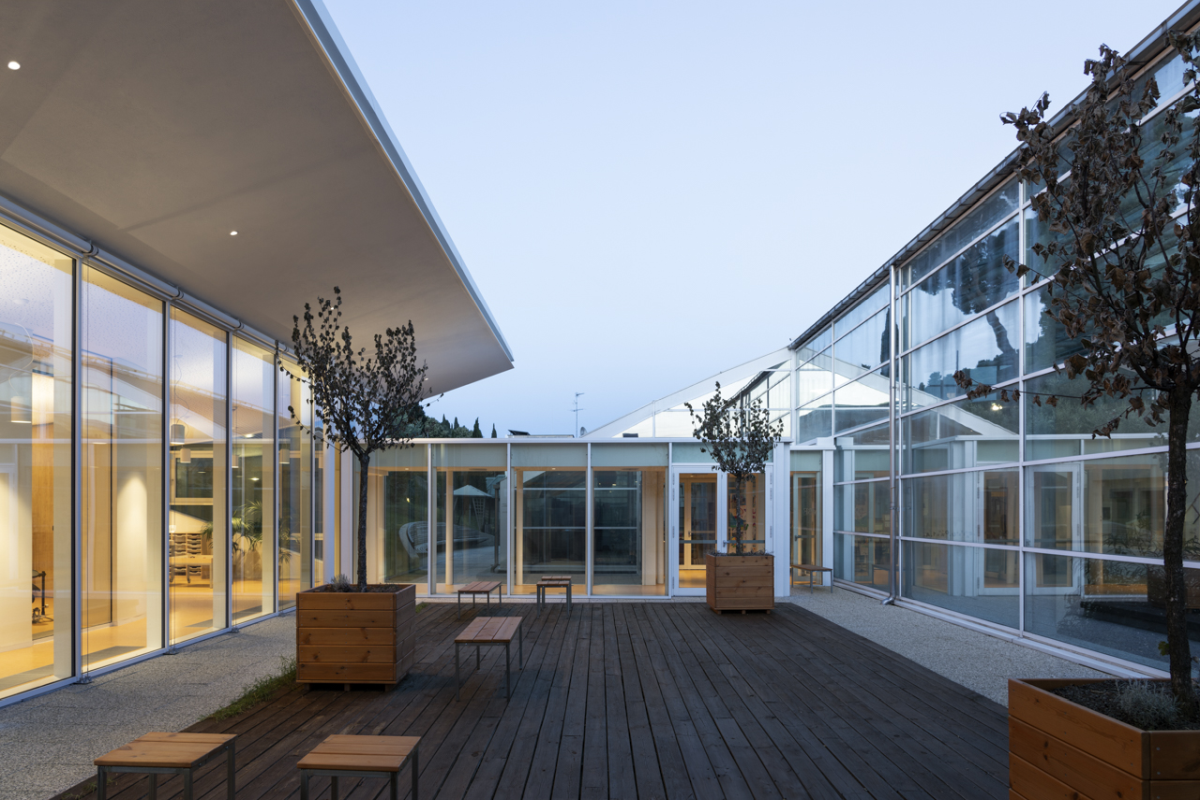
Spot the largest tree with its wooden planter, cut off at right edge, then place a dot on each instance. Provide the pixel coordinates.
(1117, 197)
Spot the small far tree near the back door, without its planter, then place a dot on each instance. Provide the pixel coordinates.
(740, 440)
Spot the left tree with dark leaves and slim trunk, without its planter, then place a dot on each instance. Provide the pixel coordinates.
(365, 402)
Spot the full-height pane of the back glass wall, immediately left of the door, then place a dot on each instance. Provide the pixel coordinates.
(629, 532)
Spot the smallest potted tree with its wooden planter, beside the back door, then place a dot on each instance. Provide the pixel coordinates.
(740, 440)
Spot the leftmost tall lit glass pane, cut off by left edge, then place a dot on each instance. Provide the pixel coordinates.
(37, 352)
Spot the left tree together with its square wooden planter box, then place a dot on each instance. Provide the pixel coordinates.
(357, 633)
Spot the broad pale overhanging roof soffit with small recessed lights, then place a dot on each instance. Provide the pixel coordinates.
(157, 129)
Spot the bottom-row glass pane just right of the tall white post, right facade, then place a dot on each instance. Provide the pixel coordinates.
(974, 581)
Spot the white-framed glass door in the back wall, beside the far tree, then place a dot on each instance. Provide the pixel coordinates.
(697, 526)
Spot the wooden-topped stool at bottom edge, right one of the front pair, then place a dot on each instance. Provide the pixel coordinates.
(351, 756)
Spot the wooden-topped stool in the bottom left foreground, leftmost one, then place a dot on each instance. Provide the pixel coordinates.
(172, 754)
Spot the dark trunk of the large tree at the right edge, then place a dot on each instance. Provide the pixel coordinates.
(1179, 647)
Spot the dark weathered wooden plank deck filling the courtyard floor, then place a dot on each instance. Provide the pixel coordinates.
(643, 701)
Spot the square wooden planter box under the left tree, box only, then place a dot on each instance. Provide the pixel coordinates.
(351, 637)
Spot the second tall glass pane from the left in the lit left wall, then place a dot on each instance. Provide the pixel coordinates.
(123, 537)
